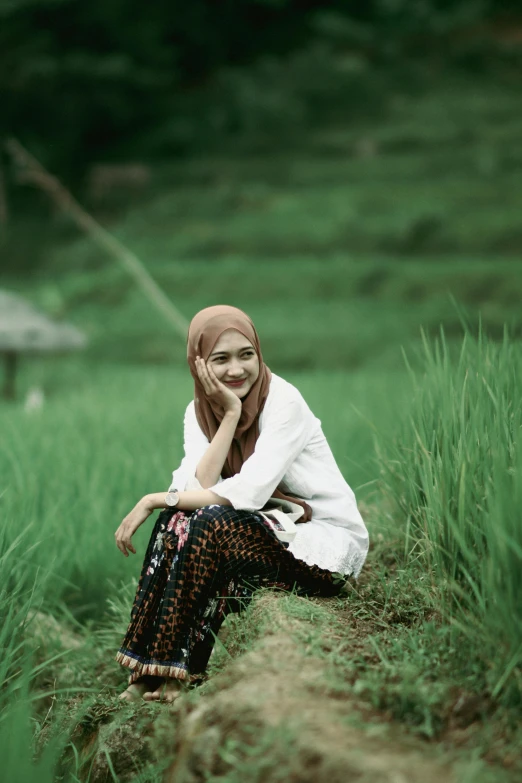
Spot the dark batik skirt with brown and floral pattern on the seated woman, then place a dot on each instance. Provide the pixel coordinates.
(198, 568)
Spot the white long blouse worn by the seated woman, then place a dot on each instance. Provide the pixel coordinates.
(293, 453)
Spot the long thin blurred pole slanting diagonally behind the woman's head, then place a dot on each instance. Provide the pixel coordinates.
(35, 173)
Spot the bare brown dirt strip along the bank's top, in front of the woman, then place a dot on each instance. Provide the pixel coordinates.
(271, 716)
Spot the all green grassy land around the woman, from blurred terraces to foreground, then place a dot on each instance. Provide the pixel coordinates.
(340, 252)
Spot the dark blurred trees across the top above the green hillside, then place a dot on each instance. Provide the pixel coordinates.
(81, 82)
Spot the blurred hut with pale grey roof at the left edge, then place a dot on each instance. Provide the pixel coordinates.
(25, 331)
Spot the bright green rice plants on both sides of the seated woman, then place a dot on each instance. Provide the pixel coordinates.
(437, 454)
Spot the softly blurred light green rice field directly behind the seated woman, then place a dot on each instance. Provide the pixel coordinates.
(74, 469)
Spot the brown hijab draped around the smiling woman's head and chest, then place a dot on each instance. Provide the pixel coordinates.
(205, 329)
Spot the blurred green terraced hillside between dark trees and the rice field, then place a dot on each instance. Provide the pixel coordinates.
(363, 238)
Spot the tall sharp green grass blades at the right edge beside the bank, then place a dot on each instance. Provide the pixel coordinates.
(455, 474)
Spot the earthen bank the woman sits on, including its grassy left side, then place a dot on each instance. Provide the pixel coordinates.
(279, 711)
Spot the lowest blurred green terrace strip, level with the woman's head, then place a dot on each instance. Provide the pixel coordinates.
(334, 314)
